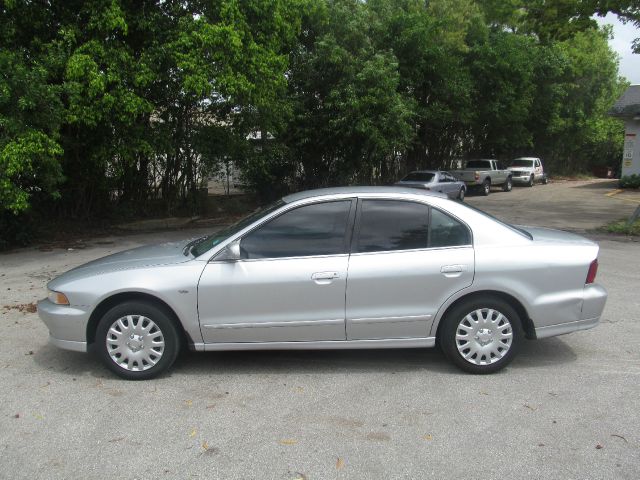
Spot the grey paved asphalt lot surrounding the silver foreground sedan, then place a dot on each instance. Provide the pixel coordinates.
(567, 407)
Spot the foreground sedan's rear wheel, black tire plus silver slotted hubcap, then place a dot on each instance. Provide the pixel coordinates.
(481, 335)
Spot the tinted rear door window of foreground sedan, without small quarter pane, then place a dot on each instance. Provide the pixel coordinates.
(392, 225)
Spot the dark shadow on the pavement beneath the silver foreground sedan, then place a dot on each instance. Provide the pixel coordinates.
(533, 354)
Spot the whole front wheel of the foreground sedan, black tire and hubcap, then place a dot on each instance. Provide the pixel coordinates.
(140, 316)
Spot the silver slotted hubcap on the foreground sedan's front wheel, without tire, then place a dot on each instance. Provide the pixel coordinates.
(135, 343)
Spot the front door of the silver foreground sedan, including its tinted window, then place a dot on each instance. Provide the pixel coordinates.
(289, 284)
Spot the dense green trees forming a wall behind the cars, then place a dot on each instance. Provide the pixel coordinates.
(129, 103)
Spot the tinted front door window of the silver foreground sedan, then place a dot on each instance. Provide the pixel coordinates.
(317, 229)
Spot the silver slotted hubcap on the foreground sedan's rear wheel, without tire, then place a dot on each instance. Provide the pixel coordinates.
(484, 336)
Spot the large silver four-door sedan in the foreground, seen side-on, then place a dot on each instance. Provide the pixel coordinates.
(365, 267)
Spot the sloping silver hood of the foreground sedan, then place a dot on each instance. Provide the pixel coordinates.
(146, 256)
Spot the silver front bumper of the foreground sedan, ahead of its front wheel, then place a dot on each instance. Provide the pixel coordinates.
(67, 325)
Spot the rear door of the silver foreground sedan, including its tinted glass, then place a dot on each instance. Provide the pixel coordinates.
(407, 259)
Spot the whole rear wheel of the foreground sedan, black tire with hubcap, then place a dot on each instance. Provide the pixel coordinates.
(453, 322)
